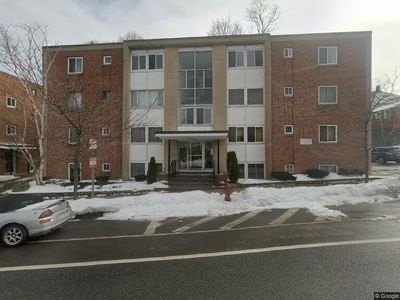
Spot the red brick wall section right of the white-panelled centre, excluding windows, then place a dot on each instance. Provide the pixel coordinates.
(303, 73)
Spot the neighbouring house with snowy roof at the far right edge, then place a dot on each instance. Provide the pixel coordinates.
(386, 120)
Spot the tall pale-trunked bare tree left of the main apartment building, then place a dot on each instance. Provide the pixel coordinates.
(21, 55)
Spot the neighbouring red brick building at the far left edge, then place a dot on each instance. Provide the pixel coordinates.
(13, 103)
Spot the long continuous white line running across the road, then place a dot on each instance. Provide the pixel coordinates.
(196, 256)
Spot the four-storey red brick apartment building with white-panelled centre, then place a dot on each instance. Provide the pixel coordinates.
(284, 102)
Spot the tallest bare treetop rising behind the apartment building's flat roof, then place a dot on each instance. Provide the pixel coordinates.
(265, 17)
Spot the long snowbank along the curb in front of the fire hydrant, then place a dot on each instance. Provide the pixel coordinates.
(159, 206)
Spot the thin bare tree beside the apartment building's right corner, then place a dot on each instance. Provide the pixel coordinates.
(387, 86)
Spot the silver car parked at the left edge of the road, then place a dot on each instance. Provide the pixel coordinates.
(23, 216)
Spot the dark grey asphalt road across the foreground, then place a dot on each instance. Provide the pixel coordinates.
(332, 260)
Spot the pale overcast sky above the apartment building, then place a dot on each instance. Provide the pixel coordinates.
(78, 21)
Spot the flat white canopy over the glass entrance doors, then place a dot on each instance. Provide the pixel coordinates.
(193, 135)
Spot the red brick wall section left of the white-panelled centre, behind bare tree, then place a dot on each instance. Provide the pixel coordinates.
(95, 79)
